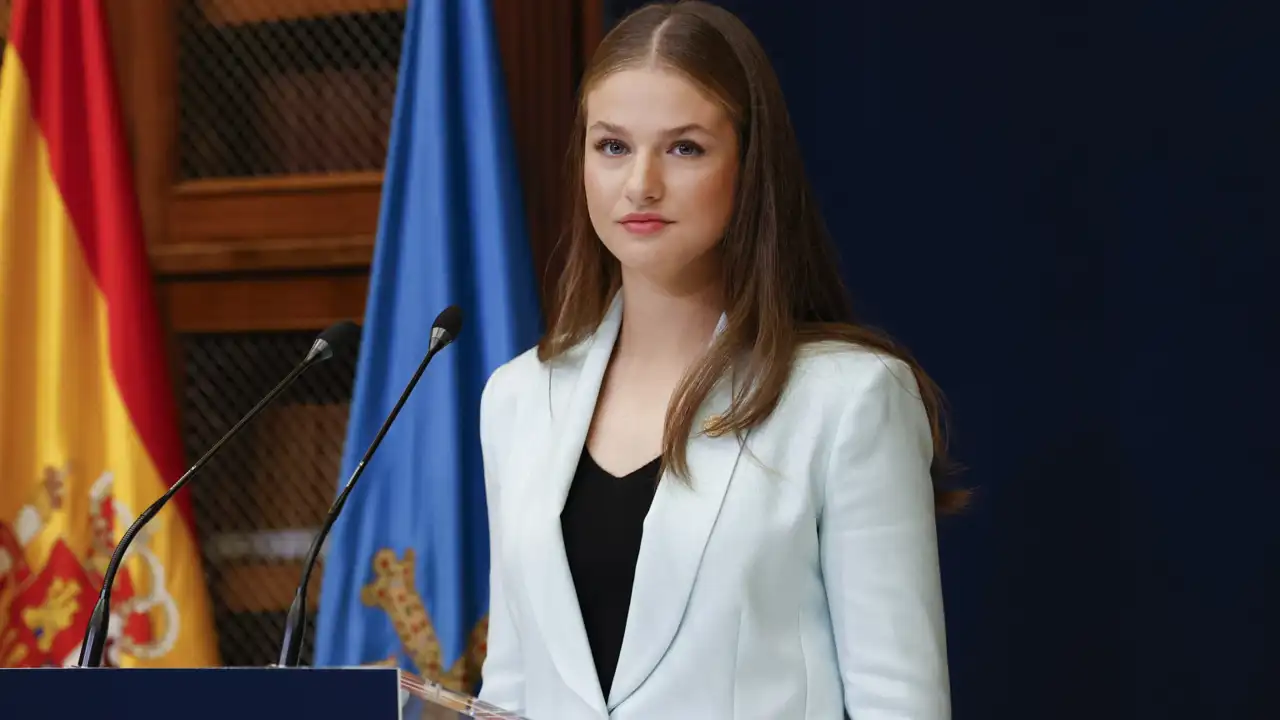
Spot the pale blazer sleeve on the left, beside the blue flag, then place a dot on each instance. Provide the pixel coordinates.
(502, 675)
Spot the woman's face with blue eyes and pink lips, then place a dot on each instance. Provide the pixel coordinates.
(660, 172)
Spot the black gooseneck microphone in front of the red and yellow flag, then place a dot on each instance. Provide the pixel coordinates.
(336, 338)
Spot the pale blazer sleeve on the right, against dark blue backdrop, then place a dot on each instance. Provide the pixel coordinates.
(880, 555)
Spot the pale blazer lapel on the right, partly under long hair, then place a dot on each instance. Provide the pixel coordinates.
(675, 535)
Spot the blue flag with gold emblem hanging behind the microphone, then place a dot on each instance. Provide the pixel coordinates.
(406, 572)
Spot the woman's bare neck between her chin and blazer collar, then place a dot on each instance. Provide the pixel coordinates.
(662, 326)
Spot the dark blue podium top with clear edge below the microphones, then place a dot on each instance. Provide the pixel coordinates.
(234, 694)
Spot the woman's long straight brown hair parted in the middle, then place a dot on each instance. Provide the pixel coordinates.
(781, 280)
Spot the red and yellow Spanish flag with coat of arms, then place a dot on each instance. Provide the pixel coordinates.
(89, 432)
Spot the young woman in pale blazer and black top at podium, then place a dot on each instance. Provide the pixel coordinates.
(711, 493)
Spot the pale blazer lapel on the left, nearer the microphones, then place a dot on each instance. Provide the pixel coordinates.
(545, 564)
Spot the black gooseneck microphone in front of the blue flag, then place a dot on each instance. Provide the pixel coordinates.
(445, 331)
